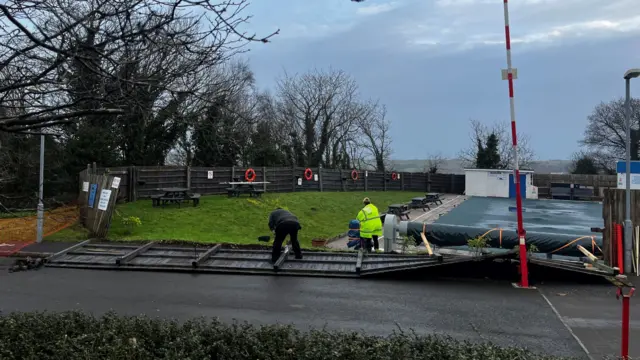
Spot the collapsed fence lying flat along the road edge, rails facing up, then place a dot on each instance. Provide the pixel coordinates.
(218, 259)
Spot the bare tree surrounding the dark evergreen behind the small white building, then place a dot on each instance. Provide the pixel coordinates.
(480, 132)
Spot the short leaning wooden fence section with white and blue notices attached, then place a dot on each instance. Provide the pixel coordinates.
(97, 200)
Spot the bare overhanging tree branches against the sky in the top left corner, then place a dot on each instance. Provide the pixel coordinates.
(41, 41)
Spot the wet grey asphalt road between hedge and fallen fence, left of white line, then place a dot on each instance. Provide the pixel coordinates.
(472, 310)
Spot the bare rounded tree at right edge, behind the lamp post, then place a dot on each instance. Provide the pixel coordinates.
(605, 134)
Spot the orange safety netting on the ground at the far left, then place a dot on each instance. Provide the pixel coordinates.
(16, 233)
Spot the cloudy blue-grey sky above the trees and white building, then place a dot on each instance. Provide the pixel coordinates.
(436, 64)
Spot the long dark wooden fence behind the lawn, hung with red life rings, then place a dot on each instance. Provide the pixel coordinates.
(143, 182)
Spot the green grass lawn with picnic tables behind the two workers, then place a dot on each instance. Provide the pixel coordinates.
(241, 220)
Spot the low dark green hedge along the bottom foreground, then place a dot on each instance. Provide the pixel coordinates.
(75, 335)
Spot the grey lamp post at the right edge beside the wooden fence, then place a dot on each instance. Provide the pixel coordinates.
(628, 246)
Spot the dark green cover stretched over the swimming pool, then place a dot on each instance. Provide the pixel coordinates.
(549, 224)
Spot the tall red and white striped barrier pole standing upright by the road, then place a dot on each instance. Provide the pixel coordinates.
(524, 272)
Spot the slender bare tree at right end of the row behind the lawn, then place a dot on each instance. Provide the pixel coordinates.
(375, 130)
